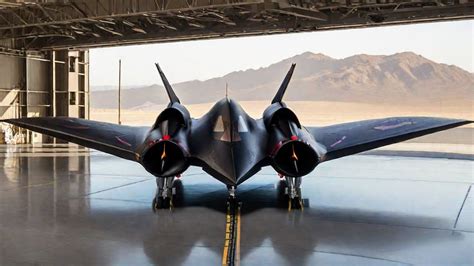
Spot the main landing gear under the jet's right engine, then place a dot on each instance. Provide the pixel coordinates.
(290, 192)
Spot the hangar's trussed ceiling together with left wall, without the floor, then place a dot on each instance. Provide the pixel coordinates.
(44, 59)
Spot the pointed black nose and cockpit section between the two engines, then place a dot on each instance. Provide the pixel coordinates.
(234, 142)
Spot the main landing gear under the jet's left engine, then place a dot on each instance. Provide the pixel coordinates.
(166, 192)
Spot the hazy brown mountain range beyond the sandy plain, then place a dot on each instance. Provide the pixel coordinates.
(395, 79)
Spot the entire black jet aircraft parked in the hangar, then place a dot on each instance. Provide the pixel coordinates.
(230, 145)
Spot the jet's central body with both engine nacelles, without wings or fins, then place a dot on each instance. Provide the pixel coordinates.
(233, 146)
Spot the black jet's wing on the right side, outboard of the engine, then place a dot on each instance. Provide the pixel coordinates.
(351, 138)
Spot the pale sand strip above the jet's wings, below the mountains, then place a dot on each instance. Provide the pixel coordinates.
(310, 113)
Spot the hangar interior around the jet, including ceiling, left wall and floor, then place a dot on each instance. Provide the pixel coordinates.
(62, 203)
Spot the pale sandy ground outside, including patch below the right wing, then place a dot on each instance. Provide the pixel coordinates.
(454, 141)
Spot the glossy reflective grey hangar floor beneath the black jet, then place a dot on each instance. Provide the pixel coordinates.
(66, 205)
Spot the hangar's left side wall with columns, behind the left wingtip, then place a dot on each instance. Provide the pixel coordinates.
(52, 83)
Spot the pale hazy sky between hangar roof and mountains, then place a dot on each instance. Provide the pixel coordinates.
(443, 42)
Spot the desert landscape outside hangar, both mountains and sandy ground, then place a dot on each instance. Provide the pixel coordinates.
(323, 91)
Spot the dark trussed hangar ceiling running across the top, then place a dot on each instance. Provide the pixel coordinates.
(59, 24)
